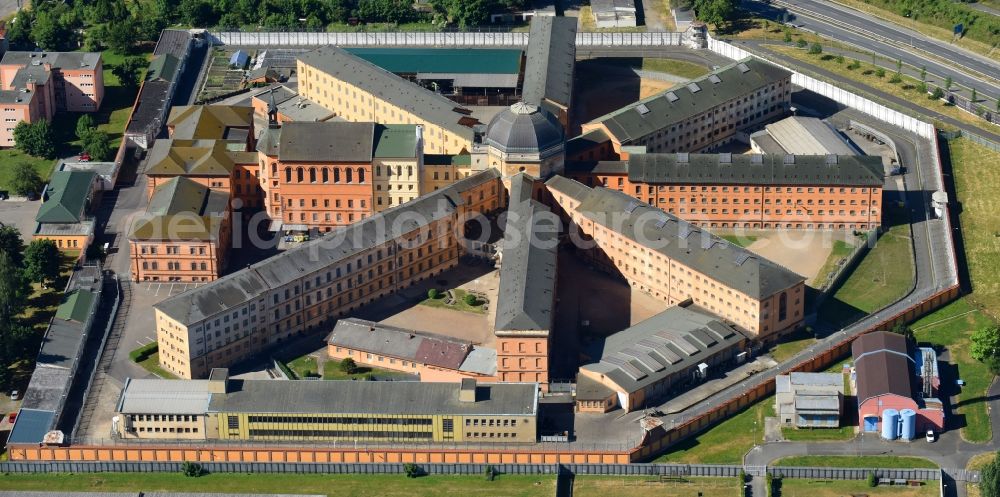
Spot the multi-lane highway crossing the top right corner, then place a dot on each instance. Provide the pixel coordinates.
(868, 32)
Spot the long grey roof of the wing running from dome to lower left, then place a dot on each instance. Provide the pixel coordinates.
(242, 286)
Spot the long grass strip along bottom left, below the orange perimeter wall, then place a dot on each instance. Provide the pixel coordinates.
(330, 485)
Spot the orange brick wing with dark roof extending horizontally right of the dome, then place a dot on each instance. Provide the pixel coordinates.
(749, 191)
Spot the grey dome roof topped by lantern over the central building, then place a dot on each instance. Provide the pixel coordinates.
(524, 129)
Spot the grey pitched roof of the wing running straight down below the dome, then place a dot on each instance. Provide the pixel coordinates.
(528, 264)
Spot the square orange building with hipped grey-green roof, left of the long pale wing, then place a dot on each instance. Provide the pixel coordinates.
(184, 235)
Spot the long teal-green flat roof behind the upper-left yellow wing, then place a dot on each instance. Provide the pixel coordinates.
(442, 60)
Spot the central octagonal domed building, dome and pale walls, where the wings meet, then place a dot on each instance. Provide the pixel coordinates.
(525, 138)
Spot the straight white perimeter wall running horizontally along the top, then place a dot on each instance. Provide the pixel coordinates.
(431, 39)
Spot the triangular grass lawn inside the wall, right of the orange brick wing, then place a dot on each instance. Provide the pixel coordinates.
(884, 276)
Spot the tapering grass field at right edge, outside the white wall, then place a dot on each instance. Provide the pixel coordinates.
(977, 172)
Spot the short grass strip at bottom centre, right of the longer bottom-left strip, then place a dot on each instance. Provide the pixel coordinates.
(602, 486)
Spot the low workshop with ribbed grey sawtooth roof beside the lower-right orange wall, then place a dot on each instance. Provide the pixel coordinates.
(644, 364)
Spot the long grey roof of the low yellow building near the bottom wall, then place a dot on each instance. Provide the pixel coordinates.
(373, 397)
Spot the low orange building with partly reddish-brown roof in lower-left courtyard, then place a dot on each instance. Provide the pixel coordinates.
(429, 356)
